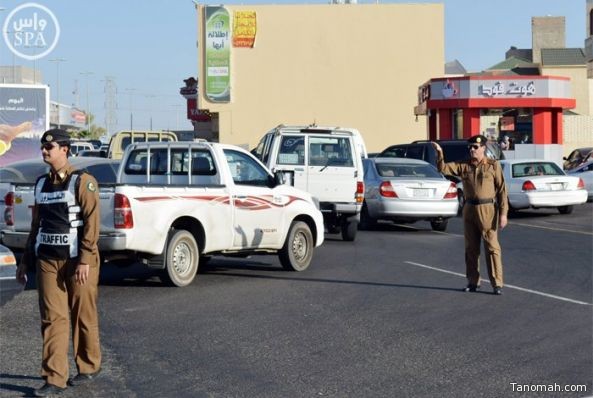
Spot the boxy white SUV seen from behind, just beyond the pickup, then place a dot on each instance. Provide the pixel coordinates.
(324, 161)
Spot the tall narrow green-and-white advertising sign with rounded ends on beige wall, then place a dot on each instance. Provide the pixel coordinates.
(217, 54)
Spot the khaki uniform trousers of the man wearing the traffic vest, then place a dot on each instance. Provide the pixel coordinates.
(61, 298)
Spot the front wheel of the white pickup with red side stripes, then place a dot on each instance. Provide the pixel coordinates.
(297, 251)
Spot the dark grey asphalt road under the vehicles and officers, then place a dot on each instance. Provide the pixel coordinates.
(382, 317)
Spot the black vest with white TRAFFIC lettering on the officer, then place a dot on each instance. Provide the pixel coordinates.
(60, 221)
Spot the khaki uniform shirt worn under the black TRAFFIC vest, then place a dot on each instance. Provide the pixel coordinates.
(88, 198)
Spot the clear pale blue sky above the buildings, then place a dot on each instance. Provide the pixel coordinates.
(148, 47)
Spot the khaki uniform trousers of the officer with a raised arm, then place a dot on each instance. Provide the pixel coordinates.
(480, 222)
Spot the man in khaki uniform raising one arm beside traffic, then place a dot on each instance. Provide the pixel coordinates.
(485, 210)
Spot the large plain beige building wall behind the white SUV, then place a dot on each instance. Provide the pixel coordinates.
(350, 65)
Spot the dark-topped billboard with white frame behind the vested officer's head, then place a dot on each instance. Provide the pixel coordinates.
(24, 117)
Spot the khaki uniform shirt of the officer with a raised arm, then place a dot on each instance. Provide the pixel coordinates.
(483, 180)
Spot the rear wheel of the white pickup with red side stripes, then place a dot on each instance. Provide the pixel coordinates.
(183, 257)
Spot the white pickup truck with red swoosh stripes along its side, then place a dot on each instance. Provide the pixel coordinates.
(175, 202)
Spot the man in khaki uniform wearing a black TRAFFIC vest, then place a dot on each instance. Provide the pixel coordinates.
(62, 245)
